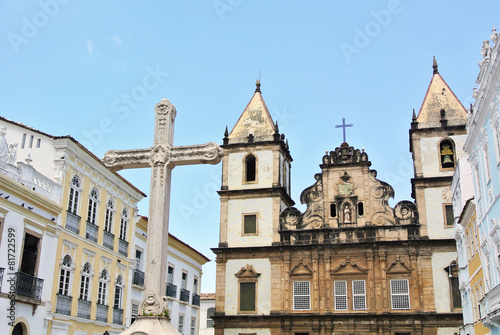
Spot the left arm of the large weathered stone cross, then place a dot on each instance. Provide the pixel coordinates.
(127, 159)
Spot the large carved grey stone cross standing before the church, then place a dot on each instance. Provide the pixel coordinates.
(162, 157)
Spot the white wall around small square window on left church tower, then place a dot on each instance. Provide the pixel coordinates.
(263, 207)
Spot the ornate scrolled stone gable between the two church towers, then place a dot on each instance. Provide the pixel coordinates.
(346, 211)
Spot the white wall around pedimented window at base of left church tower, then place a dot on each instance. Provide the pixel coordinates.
(262, 266)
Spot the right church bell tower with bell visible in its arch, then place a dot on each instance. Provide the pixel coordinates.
(437, 137)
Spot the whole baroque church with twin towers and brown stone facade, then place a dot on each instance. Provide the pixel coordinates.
(349, 264)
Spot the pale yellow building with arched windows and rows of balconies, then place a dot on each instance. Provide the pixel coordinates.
(94, 260)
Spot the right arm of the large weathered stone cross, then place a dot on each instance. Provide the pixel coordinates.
(208, 153)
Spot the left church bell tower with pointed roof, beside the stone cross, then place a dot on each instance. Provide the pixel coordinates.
(255, 178)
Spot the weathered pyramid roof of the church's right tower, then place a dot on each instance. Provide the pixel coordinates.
(440, 103)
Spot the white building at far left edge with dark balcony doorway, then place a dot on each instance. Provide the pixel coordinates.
(29, 218)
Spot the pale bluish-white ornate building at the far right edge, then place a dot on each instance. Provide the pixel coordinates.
(483, 147)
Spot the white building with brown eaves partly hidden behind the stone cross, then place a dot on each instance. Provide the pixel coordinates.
(183, 281)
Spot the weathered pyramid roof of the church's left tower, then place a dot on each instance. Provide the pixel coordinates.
(255, 120)
